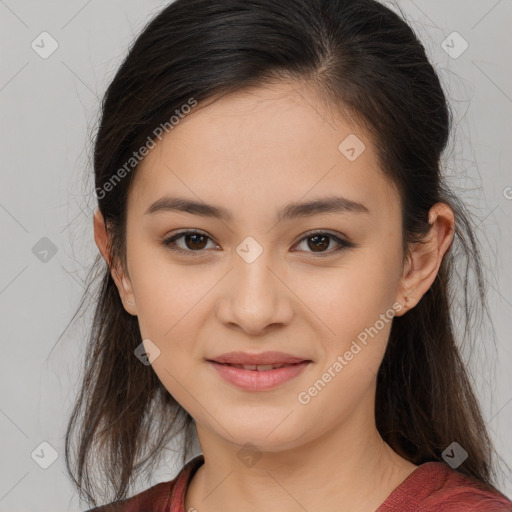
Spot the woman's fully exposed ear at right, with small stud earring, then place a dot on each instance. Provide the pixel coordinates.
(426, 257)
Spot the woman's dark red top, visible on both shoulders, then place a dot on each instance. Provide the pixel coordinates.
(431, 487)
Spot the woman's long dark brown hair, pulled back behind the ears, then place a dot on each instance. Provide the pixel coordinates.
(359, 55)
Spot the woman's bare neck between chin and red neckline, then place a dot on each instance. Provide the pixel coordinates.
(347, 469)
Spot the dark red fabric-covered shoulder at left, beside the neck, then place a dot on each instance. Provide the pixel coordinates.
(163, 497)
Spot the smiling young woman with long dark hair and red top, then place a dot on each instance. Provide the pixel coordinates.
(279, 238)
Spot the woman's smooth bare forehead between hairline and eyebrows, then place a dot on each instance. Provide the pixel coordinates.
(265, 145)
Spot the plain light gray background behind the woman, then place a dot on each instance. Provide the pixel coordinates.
(49, 109)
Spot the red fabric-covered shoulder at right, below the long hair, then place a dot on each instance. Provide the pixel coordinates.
(435, 486)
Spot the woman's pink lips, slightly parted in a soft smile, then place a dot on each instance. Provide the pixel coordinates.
(258, 380)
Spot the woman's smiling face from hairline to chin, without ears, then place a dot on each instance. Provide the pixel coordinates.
(318, 284)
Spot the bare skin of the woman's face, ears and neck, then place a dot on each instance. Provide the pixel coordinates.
(254, 152)
